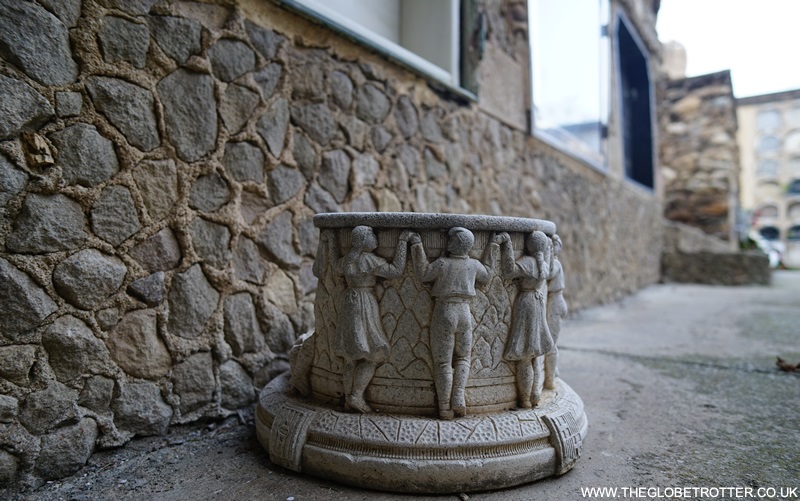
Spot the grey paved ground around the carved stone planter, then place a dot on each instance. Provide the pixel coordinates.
(680, 387)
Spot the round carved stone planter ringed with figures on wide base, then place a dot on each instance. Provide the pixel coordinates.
(420, 378)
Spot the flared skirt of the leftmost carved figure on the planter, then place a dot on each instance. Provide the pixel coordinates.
(359, 334)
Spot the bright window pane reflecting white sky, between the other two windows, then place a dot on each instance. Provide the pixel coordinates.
(570, 74)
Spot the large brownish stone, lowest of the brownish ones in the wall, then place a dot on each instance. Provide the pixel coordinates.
(135, 346)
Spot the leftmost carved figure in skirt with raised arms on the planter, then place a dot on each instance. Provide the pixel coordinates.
(360, 338)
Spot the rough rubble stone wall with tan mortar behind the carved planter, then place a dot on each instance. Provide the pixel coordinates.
(160, 162)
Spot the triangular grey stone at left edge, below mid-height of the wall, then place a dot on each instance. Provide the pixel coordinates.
(25, 304)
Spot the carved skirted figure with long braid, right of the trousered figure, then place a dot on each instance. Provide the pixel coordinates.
(530, 337)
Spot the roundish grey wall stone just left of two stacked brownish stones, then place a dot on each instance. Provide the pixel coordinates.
(113, 216)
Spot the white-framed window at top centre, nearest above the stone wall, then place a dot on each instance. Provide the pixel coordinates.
(421, 34)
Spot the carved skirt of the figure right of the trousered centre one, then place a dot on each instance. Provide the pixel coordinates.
(529, 336)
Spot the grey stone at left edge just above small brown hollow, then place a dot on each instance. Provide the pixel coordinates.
(22, 108)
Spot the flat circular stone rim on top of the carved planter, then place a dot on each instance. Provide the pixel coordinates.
(416, 220)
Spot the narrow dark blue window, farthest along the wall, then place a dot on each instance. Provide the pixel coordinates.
(636, 104)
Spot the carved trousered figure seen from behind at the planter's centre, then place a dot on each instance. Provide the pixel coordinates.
(454, 276)
